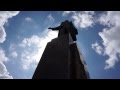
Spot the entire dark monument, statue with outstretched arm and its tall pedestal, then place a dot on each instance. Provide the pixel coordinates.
(61, 58)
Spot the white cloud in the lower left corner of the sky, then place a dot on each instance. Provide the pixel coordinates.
(4, 74)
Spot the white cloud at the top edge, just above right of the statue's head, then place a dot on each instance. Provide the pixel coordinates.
(82, 19)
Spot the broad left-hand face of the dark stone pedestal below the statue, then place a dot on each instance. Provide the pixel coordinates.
(54, 61)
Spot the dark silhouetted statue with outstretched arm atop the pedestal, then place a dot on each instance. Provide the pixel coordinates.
(66, 27)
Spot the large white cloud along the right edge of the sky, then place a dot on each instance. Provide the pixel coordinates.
(110, 37)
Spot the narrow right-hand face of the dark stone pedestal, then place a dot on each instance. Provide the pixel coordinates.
(77, 70)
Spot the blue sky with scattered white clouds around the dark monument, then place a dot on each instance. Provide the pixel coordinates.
(25, 34)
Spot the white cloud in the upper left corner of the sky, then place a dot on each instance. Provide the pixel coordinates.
(4, 16)
